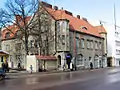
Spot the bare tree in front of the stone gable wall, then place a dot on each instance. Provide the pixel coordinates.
(41, 29)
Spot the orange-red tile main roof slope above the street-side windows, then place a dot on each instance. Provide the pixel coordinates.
(75, 23)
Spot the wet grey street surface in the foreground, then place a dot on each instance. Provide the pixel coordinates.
(98, 79)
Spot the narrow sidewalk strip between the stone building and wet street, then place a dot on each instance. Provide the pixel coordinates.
(14, 73)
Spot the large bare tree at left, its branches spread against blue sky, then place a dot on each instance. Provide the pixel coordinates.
(19, 13)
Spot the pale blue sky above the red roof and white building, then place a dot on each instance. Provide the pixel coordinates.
(93, 10)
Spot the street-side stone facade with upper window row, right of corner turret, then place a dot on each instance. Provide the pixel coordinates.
(88, 49)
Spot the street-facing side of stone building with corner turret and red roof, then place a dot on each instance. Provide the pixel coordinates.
(77, 38)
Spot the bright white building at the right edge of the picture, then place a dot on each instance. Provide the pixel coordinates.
(113, 44)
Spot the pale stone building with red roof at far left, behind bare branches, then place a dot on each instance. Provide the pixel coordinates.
(14, 45)
